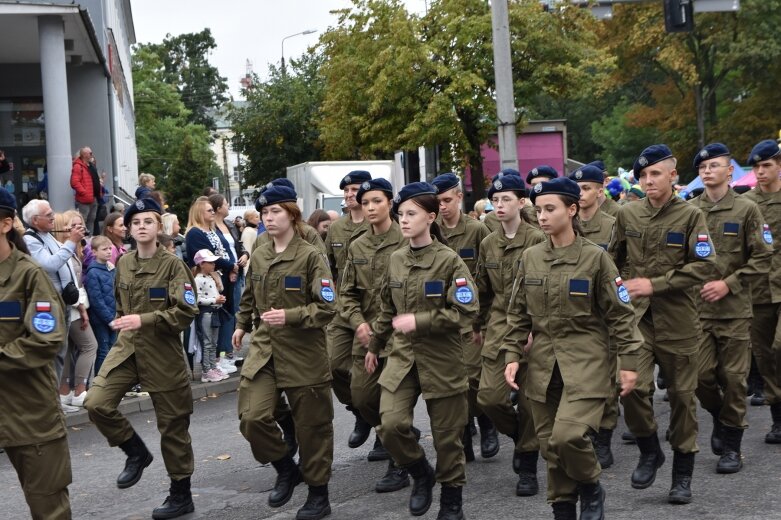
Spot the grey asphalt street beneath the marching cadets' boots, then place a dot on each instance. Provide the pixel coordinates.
(236, 488)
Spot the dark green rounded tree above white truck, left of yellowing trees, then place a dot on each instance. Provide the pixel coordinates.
(277, 125)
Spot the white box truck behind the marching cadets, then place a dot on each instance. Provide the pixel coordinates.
(317, 182)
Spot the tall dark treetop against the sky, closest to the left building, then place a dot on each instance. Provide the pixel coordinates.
(185, 60)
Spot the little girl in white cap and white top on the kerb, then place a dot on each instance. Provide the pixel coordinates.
(207, 326)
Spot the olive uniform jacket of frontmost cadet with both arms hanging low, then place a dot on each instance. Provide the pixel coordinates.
(569, 298)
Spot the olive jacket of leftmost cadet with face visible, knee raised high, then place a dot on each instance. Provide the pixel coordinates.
(161, 290)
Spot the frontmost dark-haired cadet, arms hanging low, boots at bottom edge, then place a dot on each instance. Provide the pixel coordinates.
(569, 295)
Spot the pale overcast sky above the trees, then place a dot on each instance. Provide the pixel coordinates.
(243, 29)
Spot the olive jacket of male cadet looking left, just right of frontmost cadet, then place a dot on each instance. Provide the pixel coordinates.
(671, 246)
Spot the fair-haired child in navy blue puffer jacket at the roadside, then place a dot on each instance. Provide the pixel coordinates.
(99, 283)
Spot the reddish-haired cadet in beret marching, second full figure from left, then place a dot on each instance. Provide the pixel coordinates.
(289, 287)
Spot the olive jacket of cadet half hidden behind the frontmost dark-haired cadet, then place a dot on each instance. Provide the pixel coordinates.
(497, 270)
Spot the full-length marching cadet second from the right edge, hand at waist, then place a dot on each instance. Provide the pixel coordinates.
(736, 226)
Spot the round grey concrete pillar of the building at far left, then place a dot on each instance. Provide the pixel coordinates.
(51, 36)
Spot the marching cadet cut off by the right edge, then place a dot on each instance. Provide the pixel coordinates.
(765, 159)
